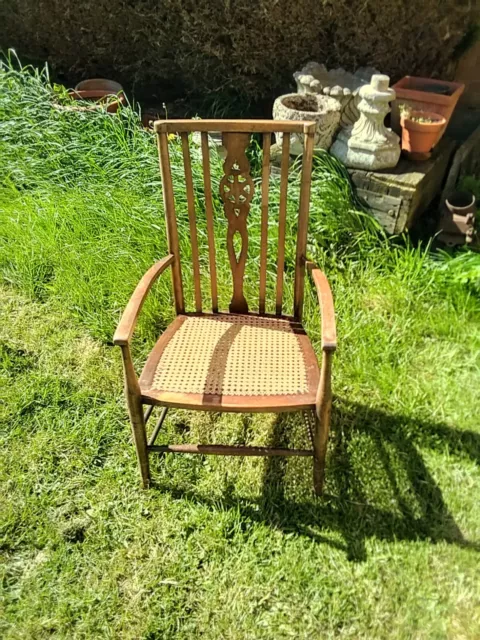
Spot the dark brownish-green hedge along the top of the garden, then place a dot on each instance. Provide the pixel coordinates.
(248, 48)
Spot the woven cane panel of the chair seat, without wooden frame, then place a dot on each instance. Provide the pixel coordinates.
(234, 355)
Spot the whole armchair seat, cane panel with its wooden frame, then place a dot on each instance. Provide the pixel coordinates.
(223, 361)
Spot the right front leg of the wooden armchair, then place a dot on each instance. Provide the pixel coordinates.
(323, 407)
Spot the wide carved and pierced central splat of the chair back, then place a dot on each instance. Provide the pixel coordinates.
(236, 191)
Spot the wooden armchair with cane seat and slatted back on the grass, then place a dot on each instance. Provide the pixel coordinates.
(240, 361)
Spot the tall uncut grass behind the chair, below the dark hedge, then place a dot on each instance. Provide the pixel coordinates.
(82, 213)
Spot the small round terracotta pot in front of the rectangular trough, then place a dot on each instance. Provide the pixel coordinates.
(420, 131)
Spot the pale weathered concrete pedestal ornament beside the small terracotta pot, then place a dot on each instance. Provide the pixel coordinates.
(369, 144)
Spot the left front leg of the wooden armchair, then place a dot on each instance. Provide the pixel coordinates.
(135, 410)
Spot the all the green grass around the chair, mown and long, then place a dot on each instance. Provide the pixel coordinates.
(221, 547)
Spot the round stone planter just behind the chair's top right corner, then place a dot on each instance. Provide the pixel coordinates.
(322, 110)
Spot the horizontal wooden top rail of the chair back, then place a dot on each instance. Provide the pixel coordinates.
(234, 126)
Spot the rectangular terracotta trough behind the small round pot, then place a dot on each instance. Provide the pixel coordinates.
(425, 94)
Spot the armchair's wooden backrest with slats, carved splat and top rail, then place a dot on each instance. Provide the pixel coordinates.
(236, 192)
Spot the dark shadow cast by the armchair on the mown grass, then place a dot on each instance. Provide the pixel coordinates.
(412, 505)
